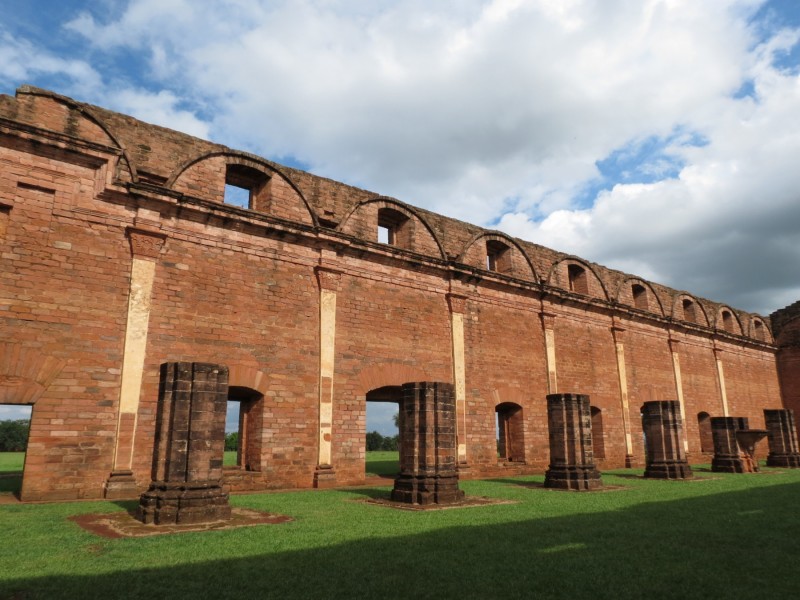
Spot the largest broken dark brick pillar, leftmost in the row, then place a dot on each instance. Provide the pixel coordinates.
(187, 484)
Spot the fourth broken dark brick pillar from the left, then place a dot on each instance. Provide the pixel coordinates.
(663, 430)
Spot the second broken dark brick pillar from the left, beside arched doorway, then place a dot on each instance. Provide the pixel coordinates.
(428, 468)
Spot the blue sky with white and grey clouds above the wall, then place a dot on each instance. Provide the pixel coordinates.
(658, 137)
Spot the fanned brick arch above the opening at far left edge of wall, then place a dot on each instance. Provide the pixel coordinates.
(25, 373)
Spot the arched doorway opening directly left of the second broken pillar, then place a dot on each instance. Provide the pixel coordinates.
(382, 441)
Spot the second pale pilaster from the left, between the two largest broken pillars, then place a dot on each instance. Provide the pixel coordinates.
(329, 279)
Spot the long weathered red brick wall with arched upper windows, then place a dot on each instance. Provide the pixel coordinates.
(238, 287)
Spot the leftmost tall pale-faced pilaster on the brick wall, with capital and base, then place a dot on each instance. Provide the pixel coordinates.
(145, 247)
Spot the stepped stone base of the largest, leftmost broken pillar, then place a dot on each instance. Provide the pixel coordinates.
(178, 503)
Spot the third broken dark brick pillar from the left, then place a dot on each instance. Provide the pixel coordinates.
(569, 420)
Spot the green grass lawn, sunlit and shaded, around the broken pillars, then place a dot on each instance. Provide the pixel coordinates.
(734, 536)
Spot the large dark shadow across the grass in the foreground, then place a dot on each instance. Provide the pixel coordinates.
(737, 544)
